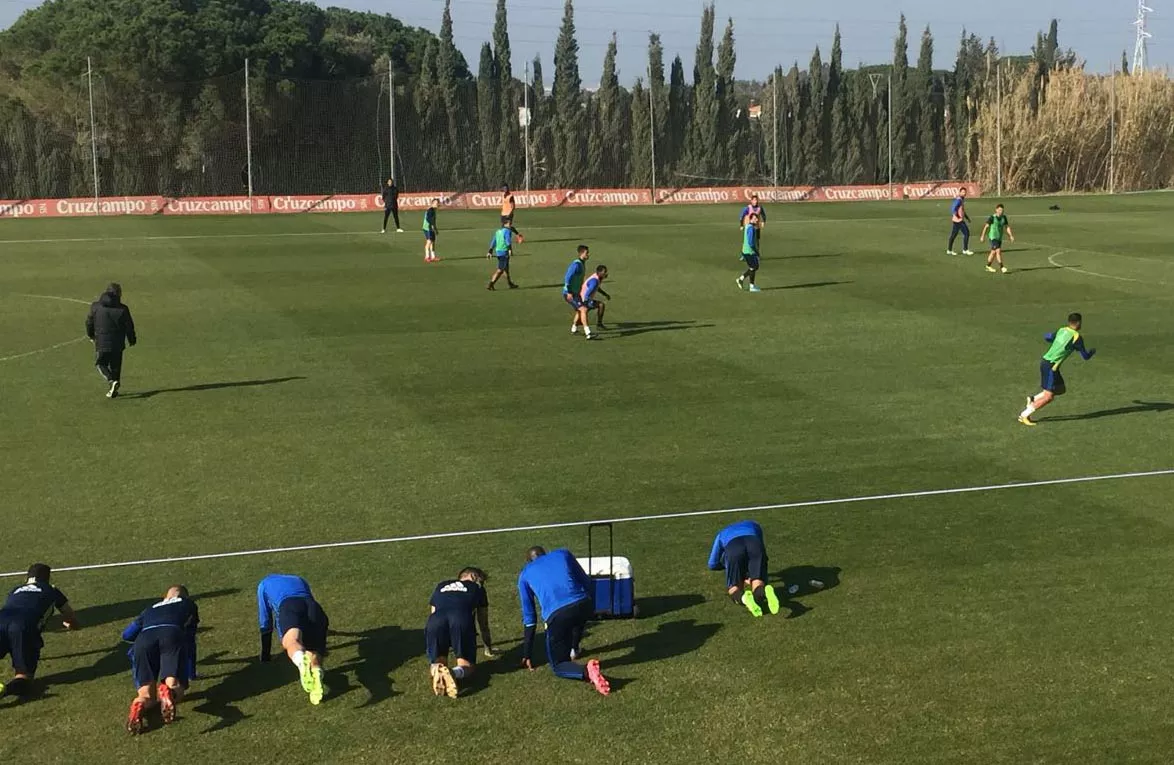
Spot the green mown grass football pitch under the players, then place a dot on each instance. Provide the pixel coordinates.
(302, 381)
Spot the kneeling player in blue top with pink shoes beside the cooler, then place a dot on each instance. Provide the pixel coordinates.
(563, 591)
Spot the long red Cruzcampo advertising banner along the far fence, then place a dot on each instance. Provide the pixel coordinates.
(474, 200)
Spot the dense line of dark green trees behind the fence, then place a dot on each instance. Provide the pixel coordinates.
(171, 106)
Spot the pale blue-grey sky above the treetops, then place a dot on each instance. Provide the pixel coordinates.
(773, 32)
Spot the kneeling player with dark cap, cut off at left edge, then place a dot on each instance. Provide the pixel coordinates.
(25, 614)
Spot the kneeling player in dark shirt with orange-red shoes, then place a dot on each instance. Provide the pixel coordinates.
(164, 638)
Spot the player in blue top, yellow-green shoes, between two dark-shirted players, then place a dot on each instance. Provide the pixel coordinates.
(301, 625)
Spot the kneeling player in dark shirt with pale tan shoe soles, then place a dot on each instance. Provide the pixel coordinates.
(460, 608)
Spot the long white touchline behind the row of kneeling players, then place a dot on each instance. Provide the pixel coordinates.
(631, 519)
